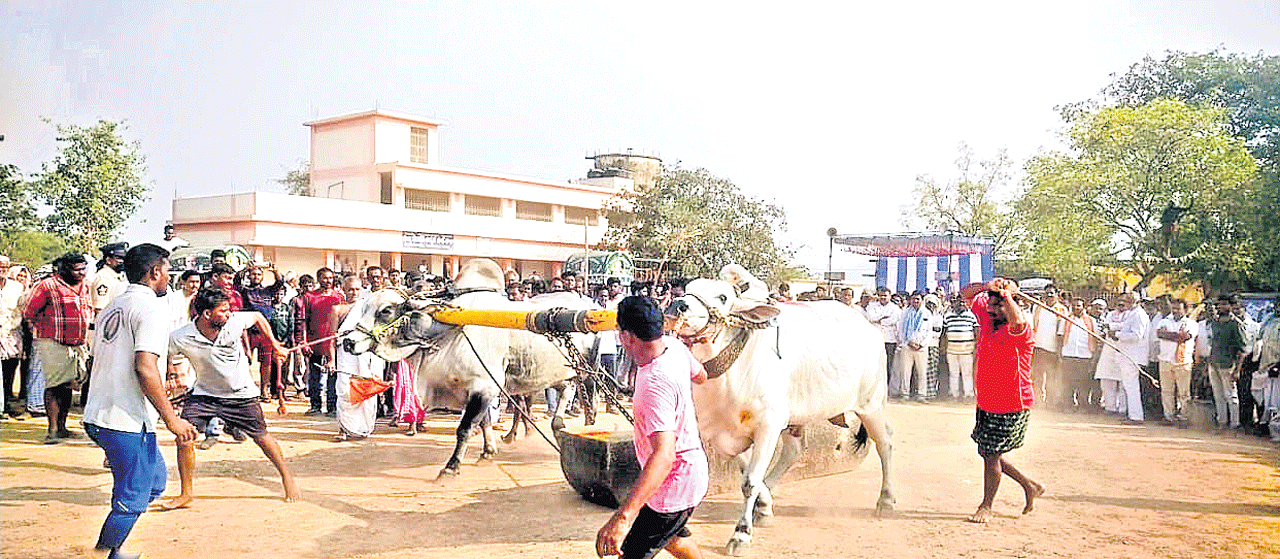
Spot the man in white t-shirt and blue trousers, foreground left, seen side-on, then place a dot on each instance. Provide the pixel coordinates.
(127, 397)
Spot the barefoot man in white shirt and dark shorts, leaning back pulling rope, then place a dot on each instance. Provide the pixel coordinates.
(225, 387)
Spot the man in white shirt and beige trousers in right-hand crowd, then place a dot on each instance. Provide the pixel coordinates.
(1176, 337)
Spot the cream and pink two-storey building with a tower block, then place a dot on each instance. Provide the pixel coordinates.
(381, 196)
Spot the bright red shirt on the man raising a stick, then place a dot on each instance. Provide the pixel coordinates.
(1003, 375)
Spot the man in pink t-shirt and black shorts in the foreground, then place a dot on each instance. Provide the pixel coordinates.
(674, 478)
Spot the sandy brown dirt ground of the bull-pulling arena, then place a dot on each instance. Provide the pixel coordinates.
(1113, 491)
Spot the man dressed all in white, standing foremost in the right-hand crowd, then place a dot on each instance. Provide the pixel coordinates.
(1119, 373)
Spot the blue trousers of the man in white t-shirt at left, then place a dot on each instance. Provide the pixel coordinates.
(139, 478)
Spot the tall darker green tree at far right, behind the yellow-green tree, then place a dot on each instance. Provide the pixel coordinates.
(1249, 90)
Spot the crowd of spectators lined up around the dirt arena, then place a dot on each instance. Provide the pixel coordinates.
(1163, 355)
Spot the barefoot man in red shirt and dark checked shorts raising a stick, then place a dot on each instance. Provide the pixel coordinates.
(1003, 386)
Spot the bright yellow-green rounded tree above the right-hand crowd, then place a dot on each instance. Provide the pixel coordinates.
(1131, 168)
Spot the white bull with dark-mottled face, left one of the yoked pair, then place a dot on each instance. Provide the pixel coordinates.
(450, 373)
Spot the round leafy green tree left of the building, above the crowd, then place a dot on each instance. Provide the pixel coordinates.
(94, 184)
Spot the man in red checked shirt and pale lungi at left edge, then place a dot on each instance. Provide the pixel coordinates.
(60, 314)
